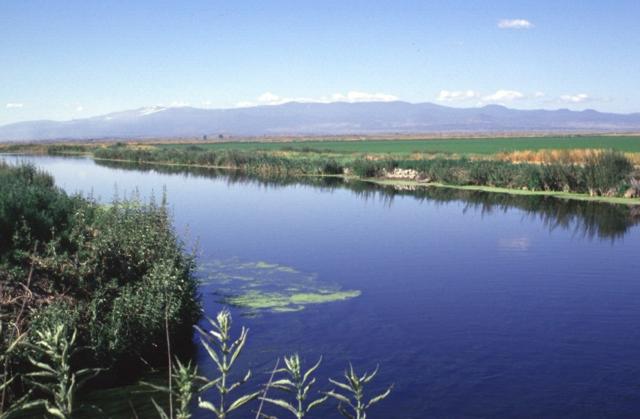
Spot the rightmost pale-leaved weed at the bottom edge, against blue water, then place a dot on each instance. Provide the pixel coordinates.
(352, 403)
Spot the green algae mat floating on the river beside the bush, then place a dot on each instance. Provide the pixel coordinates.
(268, 287)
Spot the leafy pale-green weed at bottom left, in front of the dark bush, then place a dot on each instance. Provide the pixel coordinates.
(54, 374)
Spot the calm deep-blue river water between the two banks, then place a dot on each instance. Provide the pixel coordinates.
(471, 309)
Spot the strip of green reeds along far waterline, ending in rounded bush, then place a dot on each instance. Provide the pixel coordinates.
(603, 173)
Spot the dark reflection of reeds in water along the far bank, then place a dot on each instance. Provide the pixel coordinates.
(589, 219)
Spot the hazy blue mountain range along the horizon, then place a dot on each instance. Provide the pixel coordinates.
(295, 118)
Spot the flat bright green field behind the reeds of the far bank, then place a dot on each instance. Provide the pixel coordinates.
(454, 145)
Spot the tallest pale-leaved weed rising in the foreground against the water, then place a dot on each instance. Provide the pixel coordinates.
(224, 352)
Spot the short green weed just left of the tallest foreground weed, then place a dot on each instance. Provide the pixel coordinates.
(184, 378)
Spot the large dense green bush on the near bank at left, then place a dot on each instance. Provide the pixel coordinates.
(117, 275)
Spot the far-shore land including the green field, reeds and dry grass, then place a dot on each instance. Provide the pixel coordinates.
(594, 168)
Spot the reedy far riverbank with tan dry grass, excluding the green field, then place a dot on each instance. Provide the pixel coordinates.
(576, 174)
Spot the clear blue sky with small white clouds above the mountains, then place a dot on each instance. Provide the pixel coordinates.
(64, 59)
